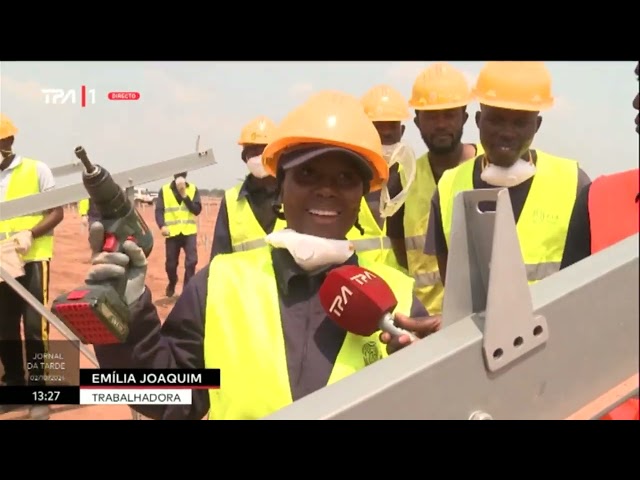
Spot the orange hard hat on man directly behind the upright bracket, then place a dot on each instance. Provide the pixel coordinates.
(515, 86)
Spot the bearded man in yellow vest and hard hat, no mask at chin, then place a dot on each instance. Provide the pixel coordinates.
(440, 96)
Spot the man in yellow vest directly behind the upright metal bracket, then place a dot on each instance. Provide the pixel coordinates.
(542, 187)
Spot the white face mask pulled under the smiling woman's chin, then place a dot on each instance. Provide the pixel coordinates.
(311, 253)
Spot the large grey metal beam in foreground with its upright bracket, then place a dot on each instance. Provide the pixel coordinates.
(590, 309)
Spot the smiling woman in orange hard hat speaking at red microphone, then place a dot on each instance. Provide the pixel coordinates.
(256, 314)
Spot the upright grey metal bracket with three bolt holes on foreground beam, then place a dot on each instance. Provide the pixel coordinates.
(487, 278)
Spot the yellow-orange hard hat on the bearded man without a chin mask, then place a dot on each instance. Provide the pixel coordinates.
(440, 87)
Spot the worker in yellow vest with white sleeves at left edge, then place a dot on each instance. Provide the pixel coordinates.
(33, 236)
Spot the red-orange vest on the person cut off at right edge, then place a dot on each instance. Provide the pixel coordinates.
(613, 209)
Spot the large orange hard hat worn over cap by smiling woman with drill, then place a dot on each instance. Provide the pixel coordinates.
(334, 119)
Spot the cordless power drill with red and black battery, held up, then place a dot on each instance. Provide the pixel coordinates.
(98, 314)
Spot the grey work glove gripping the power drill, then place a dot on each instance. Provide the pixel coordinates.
(112, 267)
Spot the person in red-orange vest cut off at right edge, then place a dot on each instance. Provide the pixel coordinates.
(606, 212)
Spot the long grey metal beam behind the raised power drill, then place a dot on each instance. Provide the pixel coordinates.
(136, 176)
